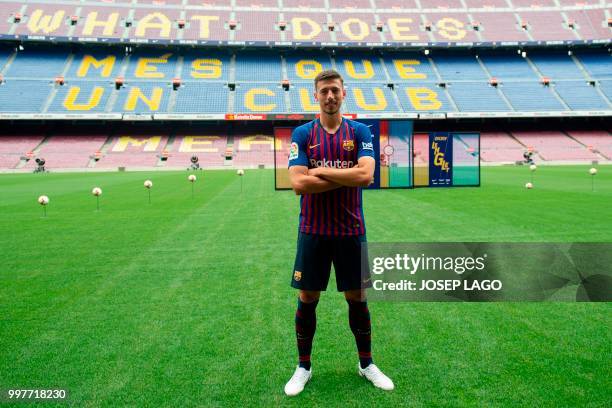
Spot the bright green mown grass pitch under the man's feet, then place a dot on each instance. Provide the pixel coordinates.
(186, 301)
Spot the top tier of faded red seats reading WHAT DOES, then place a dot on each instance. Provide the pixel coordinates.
(301, 22)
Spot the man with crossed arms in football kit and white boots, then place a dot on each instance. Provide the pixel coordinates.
(330, 160)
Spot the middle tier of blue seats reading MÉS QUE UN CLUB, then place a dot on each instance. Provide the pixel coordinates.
(44, 80)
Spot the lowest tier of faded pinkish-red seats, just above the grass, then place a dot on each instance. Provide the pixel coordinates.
(173, 151)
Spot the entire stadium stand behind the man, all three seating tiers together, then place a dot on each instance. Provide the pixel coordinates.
(211, 59)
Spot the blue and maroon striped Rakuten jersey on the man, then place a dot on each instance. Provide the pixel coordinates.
(337, 212)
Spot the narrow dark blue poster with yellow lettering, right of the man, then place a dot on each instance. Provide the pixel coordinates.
(440, 159)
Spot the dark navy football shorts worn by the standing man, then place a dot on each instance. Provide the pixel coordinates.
(315, 256)
